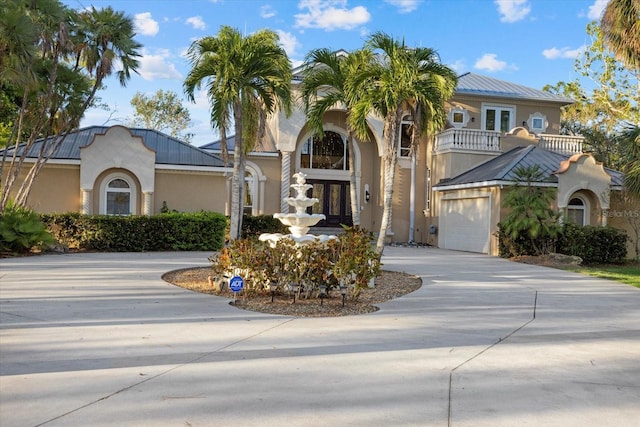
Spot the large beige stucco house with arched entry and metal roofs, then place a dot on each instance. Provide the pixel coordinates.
(448, 193)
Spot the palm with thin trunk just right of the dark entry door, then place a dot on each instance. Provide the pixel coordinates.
(329, 73)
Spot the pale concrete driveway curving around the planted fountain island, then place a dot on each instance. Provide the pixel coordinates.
(101, 340)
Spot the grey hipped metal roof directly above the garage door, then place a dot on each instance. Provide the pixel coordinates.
(502, 170)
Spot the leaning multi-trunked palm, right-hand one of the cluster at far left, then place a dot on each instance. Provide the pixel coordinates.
(60, 91)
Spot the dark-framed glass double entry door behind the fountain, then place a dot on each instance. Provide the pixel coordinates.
(334, 202)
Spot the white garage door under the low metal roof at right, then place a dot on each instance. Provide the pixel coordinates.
(465, 224)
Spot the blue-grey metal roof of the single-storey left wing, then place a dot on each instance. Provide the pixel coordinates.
(169, 150)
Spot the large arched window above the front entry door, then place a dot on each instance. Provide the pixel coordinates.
(330, 152)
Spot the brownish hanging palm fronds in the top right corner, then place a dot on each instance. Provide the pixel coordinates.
(621, 29)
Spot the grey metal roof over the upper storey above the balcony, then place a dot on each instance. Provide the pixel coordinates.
(475, 84)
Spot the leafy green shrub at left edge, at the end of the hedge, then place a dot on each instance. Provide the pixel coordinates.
(21, 230)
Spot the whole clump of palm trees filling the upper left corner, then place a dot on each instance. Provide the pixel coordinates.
(53, 60)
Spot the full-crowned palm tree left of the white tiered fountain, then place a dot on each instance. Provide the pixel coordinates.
(249, 78)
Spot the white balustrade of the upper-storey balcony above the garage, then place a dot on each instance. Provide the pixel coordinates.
(482, 141)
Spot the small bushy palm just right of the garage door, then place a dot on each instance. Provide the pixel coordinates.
(530, 214)
